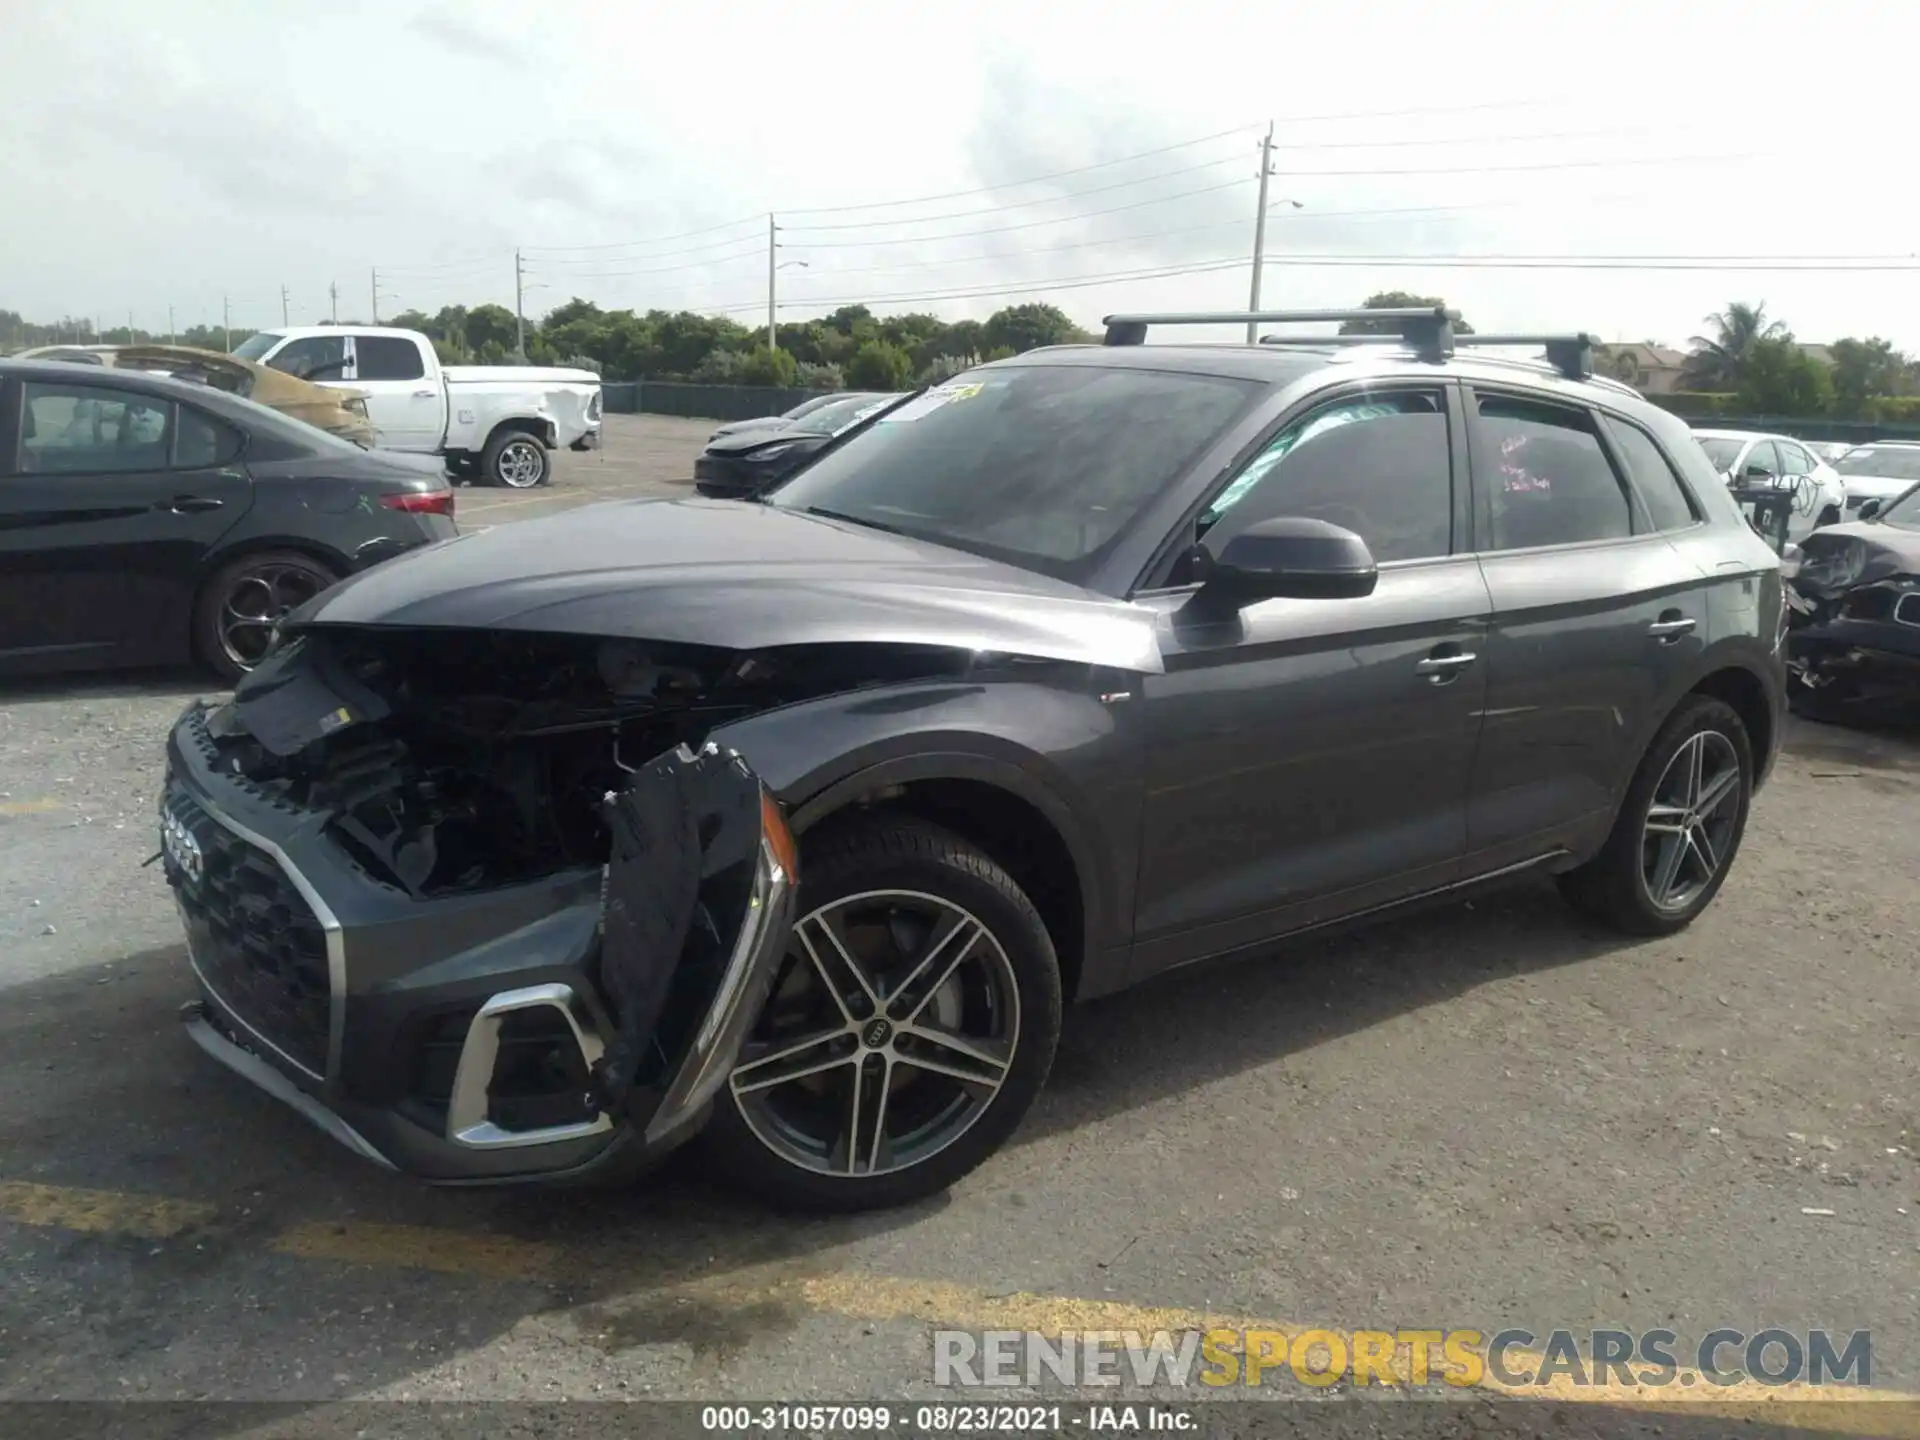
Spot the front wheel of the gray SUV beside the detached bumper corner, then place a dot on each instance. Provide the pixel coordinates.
(911, 1026)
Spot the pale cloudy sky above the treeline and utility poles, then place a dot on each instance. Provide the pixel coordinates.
(1541, 166)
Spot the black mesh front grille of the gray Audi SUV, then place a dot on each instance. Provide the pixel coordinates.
(256, 942)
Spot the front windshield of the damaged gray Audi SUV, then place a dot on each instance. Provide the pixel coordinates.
(1040, 466)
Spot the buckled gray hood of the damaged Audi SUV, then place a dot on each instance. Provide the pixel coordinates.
(736, 577)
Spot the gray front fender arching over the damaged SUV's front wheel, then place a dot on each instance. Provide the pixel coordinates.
(1055, 748)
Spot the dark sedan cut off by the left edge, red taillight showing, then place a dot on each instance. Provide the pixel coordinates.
(145, 521)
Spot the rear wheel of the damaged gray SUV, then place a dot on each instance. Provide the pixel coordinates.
(1679, 828)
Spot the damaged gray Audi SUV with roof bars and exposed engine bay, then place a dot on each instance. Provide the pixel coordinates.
(794, 825)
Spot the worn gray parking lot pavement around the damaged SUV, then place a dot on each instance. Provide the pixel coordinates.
(1487, 1116)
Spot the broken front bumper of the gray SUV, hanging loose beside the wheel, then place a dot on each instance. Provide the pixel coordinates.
(540, 1030)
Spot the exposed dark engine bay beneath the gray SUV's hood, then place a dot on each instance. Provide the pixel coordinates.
(456, 761)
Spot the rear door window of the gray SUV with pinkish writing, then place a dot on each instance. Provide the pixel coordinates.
(1547, 479)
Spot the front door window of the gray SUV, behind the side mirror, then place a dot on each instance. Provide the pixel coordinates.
(1378, 466)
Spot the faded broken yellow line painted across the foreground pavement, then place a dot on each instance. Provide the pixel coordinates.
(938, 1305)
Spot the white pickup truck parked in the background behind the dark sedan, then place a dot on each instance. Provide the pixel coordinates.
(494, 423)
